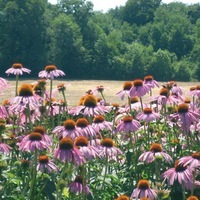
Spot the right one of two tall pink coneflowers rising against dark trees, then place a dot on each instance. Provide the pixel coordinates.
(50, 72)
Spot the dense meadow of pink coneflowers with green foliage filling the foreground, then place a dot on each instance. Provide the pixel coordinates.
(97, 149)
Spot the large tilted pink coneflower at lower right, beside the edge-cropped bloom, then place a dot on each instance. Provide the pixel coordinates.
(182, 174)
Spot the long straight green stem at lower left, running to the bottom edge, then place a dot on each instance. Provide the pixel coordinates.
(33, 176)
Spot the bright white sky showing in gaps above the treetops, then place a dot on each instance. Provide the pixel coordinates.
(105, 5)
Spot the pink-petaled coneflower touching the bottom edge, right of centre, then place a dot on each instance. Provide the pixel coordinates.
(143, 190)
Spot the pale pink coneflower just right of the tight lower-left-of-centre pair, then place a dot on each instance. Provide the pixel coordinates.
(108, 150)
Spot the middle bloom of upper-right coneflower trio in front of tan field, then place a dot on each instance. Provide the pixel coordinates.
(139, 88)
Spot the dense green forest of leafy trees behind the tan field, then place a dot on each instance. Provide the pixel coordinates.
(143, 37)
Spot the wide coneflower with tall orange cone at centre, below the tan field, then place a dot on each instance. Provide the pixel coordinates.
(89, 107)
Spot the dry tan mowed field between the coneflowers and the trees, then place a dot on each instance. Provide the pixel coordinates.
(76, 88)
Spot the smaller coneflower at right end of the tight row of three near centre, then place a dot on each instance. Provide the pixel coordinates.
(99, 123)
